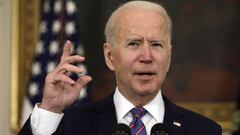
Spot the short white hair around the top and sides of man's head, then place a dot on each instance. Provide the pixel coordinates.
(110, 28)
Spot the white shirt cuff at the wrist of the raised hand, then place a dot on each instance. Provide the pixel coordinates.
(44, 122)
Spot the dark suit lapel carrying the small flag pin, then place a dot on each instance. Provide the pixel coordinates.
(173, 118)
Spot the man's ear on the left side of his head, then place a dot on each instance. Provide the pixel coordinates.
(108, 56)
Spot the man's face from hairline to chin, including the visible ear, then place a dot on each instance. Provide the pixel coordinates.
(141, 55)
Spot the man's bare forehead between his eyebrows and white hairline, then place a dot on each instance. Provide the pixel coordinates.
(139, 21)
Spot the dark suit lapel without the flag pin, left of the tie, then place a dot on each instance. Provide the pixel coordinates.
(104, 116)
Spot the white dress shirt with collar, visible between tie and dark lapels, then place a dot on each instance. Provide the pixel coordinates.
(155, 110)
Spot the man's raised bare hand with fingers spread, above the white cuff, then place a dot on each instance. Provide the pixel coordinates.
(60, 91)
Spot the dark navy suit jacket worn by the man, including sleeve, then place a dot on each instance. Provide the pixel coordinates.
(100, 118)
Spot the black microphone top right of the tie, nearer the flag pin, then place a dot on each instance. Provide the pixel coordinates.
(159, 129)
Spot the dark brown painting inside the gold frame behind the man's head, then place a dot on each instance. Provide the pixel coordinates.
(206, 48)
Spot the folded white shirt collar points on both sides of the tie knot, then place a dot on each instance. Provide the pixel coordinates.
(155, 108)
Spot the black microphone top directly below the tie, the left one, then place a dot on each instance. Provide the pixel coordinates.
(121, 129)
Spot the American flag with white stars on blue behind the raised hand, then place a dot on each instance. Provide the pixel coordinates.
(58, 24)
